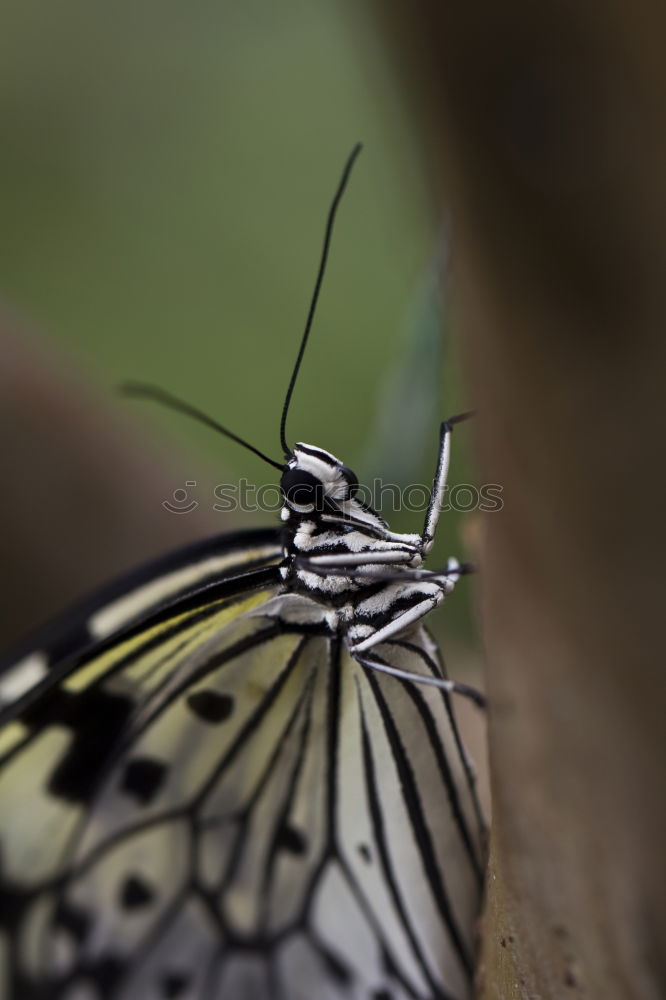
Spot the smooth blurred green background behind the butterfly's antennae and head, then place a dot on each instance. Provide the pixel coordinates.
(165, 175)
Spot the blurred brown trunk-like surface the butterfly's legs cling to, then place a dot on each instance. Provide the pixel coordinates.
(546, 128)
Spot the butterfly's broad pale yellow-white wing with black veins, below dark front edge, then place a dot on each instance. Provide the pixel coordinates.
(233, 810)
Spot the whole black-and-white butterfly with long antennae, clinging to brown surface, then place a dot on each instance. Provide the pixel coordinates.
(237, 775)
